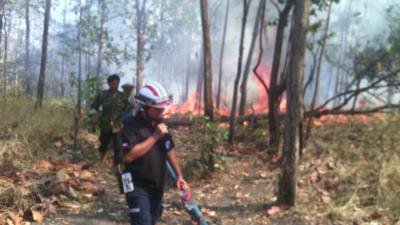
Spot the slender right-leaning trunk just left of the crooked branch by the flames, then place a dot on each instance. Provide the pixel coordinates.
(243, 86)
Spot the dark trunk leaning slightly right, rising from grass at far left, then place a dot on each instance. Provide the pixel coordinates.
(42, 74)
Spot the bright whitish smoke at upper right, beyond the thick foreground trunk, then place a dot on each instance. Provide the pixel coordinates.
(353, 24)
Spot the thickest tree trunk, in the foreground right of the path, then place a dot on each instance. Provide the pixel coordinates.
(295, 77)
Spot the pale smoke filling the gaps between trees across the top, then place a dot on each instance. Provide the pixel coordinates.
(174, 40)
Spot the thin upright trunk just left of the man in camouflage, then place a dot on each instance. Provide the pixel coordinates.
(79, 100)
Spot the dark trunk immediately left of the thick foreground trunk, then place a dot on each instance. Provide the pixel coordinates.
(274, 97)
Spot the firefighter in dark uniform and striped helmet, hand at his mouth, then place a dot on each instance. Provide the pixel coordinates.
(150, 146)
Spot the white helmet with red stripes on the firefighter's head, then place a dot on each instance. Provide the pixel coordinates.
(154, 95)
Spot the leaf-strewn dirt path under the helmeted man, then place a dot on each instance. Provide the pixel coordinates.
(238, 193)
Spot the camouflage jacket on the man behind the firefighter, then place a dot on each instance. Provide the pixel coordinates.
(112, 108)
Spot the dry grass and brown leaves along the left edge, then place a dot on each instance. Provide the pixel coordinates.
(26, 136)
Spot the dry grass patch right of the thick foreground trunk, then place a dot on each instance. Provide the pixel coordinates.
(354, 169)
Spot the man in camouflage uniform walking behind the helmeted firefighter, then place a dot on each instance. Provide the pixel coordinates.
(111, 103)
